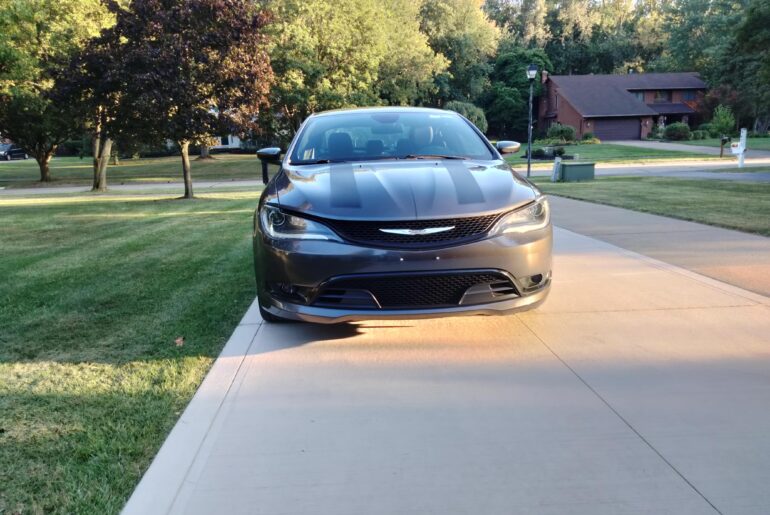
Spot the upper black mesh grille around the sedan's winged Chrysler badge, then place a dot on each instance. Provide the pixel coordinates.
(368, 232)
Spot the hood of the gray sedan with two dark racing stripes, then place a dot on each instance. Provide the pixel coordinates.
(402, 190)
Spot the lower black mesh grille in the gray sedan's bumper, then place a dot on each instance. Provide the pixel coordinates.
(431, 290)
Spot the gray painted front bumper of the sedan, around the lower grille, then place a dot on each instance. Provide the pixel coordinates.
(309, 264)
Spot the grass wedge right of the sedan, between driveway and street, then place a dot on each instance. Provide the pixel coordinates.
(742, 206)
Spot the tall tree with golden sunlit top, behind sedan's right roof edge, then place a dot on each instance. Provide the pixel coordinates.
(460, 31)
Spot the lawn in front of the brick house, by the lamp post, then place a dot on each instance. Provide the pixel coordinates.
(609, 152)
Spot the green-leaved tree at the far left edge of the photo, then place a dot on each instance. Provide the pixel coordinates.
(37, 37)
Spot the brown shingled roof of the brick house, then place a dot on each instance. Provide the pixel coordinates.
(609, 95)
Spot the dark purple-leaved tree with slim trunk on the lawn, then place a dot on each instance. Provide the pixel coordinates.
(189, 68)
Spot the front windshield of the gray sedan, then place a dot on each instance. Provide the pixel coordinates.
(370, 135)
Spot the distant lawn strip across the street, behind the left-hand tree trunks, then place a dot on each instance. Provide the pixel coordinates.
(76, 171)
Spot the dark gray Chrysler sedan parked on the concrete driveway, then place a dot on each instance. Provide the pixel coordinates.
(397, 213)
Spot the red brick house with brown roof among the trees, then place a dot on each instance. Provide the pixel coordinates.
(618, 107)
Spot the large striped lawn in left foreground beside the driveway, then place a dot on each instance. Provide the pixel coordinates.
(95, 291)
